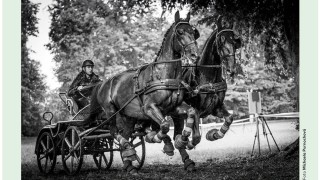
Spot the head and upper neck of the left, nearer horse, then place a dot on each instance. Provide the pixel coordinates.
(180, 42)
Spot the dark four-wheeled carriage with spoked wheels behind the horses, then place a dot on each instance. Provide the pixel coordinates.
(73, 141)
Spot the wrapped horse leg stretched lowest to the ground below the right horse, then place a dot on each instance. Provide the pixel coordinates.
(178, 127)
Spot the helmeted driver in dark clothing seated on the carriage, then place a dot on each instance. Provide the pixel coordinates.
(85, 78)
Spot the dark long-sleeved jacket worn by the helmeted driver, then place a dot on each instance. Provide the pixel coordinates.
(82, 80)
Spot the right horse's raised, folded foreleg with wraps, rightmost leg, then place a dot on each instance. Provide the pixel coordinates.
(215, 134)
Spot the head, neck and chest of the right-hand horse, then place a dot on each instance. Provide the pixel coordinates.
(218, 56)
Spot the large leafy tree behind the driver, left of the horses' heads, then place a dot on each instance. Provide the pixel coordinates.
(113, 34)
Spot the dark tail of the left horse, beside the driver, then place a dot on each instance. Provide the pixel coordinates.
(95, 107)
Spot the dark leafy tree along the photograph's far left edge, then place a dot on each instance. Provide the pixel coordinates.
(32, 85)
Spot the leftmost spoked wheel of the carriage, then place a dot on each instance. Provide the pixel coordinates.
(46, 153)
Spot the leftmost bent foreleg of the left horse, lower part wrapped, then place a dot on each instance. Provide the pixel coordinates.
(154, 112)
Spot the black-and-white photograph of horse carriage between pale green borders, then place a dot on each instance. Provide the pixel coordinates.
(161, 89)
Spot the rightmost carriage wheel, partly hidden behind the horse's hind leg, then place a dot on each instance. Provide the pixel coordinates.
(139, 145)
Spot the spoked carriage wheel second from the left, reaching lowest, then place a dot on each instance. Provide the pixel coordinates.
(72, 151)
